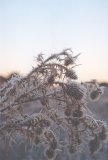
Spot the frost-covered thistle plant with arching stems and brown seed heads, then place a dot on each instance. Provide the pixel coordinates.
(63, 107)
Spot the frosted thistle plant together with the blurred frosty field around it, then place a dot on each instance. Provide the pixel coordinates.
(48, 114)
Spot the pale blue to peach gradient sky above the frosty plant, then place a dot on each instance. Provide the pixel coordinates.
(28, 27)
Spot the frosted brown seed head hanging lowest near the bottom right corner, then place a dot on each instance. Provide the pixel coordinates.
(94, 145)
